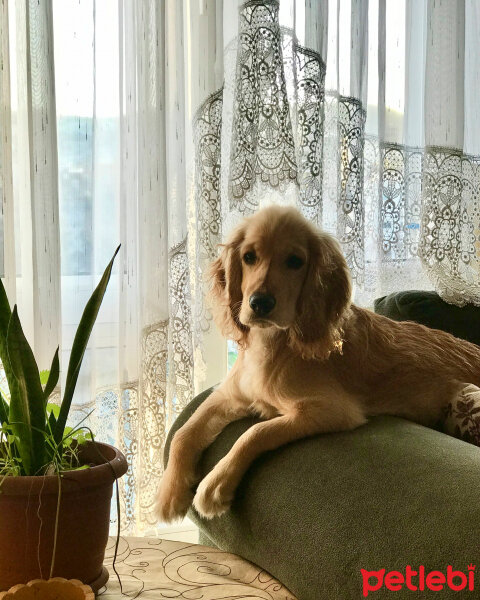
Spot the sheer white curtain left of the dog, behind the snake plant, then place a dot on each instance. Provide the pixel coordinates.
(97, 148)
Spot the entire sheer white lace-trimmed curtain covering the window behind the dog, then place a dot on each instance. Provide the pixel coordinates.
(160, 124)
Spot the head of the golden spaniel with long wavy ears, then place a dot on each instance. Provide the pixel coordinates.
(278, 271)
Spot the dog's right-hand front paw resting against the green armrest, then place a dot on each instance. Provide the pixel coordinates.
(214, 494)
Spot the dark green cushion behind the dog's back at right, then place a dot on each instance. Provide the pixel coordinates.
(429, 309)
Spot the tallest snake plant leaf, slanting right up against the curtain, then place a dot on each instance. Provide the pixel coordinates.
(79, 346)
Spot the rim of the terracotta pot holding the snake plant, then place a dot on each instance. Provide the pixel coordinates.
(102, 474)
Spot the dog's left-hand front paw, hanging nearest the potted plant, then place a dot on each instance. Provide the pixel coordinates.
(174, 498)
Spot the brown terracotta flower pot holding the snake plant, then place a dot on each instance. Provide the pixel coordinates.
(28, 507)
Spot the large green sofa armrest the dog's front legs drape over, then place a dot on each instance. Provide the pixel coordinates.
(314, 513)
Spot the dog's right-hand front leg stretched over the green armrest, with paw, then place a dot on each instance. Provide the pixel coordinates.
(215, 493)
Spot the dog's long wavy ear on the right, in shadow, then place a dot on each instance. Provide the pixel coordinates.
(325, 297)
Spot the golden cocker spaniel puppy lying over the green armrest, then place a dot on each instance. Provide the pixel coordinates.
(309, 360)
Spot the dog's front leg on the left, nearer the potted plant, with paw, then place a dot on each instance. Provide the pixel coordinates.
(175, 494)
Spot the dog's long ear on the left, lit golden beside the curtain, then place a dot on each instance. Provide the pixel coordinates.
(226, 288)
